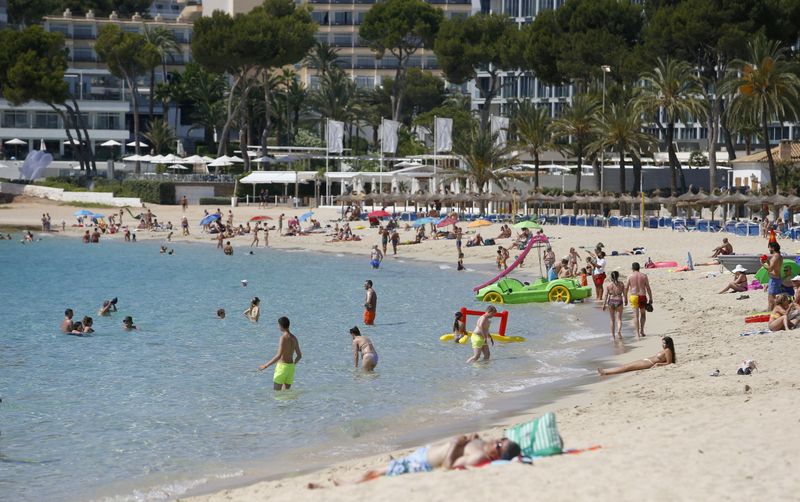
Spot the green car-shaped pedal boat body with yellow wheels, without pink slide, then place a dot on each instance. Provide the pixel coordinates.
(508, 290)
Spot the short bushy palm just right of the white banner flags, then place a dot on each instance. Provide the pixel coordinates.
(481, 159)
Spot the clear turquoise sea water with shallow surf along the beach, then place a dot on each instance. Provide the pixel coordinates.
(179, 403)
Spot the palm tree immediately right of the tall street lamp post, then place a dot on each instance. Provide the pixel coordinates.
(621, 128)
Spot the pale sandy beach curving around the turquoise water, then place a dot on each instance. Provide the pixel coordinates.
(666, 433)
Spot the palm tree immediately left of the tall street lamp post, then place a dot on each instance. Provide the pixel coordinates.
(576, 125)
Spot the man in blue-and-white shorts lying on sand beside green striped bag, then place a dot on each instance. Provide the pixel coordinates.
(460, 452)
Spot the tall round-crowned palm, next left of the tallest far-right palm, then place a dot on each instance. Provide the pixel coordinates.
(674, 89)
